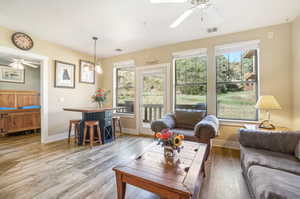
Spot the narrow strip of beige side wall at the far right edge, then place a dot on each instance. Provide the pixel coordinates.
(296, 72)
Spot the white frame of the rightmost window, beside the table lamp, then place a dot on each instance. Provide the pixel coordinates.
(257, 83)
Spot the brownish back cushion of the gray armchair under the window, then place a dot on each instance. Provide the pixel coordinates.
(188, 119)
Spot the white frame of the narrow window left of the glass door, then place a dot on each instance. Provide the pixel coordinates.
(118, 66)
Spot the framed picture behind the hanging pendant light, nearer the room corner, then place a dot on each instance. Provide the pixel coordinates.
(86, 72)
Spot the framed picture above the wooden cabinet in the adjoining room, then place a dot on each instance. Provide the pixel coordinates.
(9, 74)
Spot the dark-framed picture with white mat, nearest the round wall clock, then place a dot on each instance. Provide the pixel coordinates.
(64, 75)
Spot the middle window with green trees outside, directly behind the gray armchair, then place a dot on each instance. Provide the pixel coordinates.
(191, 82)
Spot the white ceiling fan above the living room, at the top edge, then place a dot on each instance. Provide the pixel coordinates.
(204, 6)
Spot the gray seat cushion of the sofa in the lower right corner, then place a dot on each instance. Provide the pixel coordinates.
(269, 183)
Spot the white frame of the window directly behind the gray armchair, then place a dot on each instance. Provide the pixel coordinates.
(184, 56)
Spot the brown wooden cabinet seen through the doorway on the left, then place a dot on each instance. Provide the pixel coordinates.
(20, 119)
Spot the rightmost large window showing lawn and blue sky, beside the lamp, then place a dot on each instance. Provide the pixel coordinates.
(237, 82)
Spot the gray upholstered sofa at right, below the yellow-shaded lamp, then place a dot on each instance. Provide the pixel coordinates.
(270, 163)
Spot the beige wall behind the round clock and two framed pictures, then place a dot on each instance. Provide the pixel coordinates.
(59, 97)
